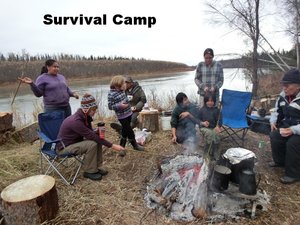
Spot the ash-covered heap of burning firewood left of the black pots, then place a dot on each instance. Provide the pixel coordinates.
(182, 189)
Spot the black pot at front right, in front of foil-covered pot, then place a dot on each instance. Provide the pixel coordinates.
(247, 182)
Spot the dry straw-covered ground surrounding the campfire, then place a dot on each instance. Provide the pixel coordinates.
(118, 198)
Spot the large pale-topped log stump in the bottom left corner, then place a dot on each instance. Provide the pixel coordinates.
(31, 200)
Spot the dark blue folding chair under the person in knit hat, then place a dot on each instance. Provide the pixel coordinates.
(49, 125)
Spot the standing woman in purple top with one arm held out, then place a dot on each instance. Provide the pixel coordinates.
(53, 87)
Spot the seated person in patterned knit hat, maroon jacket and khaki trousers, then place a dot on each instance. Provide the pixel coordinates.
(78, 136)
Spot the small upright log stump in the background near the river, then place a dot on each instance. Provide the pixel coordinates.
(149, 119)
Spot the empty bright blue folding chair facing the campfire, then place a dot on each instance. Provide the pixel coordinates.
(234, 106)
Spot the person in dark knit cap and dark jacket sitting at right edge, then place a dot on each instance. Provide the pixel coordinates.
(285, 128)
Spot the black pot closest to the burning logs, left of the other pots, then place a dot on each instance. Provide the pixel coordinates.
(220, 178)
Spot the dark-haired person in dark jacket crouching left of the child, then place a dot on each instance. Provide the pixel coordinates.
(183, 120)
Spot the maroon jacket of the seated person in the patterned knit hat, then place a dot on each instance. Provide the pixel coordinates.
(77, 127)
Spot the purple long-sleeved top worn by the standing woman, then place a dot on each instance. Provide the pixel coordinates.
(53, 88)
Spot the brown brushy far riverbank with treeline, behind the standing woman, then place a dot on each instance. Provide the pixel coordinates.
(81, 67)
